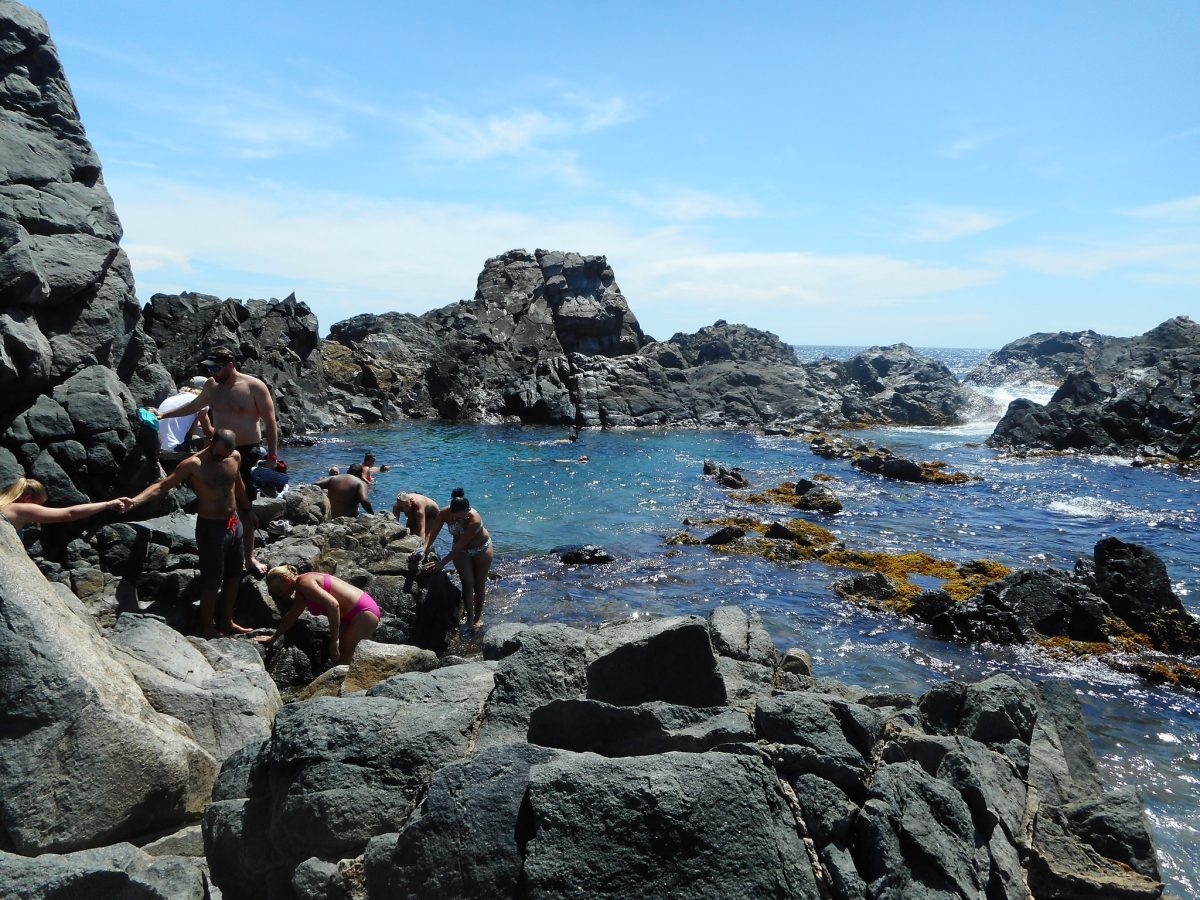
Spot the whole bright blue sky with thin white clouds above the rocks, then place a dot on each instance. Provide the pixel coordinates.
(944, 175)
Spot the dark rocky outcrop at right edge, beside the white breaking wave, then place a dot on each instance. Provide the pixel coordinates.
(1118, 395)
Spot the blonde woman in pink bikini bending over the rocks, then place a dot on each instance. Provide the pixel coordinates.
(352, 613)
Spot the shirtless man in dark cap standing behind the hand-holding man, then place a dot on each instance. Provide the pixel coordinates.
(238, 401)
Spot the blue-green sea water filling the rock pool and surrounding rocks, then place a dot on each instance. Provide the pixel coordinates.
(640, 485)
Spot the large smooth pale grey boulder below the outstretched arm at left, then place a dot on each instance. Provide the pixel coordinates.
(71, 707)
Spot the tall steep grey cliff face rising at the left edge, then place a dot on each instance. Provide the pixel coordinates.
(75, 361)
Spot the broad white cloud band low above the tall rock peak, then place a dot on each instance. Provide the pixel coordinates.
(346, 255)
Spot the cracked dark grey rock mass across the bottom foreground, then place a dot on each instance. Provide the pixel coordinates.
(663, 759)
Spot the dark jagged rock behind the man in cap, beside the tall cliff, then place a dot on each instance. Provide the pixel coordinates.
(277, 341)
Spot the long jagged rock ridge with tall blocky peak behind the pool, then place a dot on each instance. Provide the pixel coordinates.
(549, 339)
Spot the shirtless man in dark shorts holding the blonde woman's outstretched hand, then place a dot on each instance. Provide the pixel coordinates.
(214, 476)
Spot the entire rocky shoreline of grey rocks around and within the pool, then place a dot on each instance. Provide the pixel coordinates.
(674, 757)
